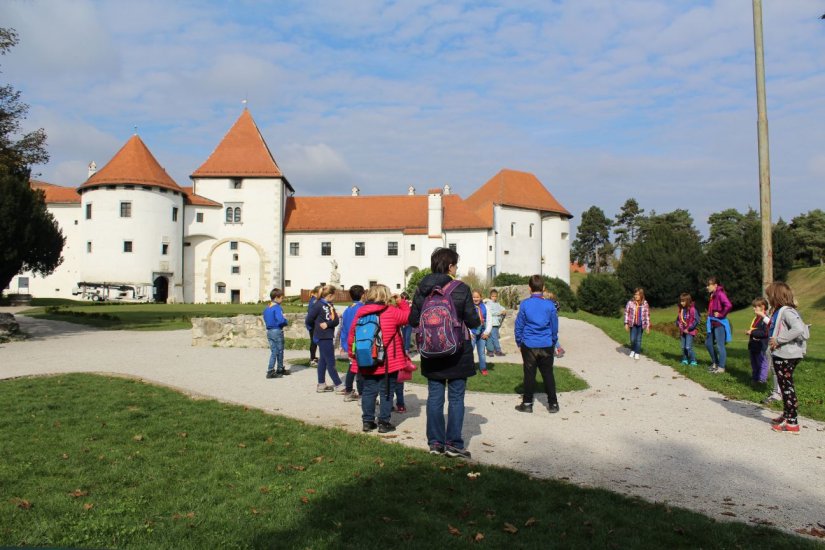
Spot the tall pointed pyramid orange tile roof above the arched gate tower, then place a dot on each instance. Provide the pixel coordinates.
(241, 153)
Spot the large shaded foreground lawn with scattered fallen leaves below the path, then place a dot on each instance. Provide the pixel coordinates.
(91, 461)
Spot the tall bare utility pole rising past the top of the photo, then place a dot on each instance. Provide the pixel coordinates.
(764, 159)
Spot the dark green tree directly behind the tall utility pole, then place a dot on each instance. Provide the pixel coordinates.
(736, 259)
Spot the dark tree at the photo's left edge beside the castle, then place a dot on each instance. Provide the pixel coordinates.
(30, 239)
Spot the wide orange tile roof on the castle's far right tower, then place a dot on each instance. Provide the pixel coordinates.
(513, 188)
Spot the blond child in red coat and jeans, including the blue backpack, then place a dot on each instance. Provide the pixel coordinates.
(392, 314)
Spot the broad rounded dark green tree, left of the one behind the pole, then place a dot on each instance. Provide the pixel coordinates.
(665, 261)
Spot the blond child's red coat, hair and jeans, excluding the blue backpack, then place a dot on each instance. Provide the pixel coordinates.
(393, 313)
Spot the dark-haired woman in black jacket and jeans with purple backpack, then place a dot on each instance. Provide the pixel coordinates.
(445, 367)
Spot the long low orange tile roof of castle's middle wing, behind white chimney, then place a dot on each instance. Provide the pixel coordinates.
(406, 213)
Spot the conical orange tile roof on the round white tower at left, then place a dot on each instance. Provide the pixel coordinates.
(133, 164)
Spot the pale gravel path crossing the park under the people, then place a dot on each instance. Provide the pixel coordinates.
(640, 429)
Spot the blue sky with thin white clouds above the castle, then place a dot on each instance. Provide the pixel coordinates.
(602, 100)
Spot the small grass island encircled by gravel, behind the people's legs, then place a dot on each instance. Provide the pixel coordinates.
(504, 378)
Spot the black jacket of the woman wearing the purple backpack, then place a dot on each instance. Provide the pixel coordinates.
(460, 365)
